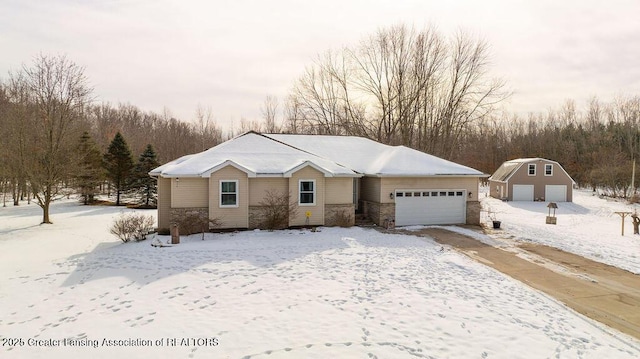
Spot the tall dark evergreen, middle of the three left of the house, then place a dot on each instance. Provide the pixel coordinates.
(119, 165)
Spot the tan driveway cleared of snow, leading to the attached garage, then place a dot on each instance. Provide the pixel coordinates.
(604, 293)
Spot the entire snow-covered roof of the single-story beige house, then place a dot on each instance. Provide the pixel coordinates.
(261, 155)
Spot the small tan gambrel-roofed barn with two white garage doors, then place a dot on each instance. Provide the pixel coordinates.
(531, 179)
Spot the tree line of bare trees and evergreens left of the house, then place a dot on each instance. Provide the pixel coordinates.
(55, 139)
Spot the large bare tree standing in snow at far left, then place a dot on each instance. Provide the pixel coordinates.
(58, 91)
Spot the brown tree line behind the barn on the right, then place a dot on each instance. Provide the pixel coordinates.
(596, 144)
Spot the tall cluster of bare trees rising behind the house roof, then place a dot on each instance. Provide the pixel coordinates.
(400, 86)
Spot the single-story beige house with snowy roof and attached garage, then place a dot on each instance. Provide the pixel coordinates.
(324, 175)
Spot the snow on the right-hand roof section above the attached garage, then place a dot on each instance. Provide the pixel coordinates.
(370, 157)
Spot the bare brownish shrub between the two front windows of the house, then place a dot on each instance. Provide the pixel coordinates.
(275, 210)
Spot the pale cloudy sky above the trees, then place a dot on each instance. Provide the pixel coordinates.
(229, 55)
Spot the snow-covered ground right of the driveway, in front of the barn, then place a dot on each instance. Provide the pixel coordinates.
(588, 227)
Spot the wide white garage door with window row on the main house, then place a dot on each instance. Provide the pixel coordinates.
(430, 207)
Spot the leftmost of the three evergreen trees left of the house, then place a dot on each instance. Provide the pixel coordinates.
(91, 171)
